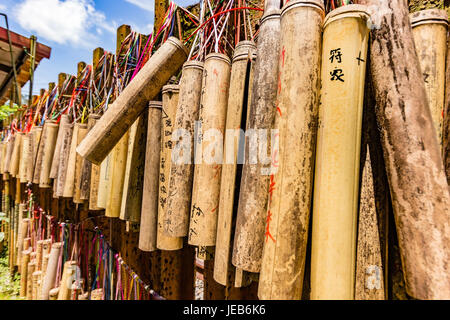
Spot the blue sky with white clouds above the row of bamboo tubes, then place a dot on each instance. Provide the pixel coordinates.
(74, 28)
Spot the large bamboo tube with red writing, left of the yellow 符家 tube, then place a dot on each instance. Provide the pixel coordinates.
(290, 191)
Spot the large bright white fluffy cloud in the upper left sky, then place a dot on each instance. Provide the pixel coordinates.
(69, 21)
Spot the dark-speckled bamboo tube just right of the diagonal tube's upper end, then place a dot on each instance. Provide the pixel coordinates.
(182, 172)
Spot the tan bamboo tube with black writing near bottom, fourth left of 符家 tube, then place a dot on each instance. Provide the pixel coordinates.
(206, 184)
